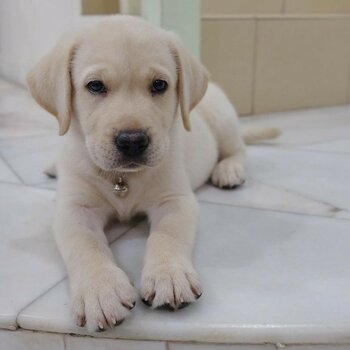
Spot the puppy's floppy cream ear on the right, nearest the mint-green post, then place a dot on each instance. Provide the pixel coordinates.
(192, 80)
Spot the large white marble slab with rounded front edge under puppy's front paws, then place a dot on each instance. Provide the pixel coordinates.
(268, 278)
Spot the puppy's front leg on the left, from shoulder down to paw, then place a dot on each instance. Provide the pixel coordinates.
(101, 292)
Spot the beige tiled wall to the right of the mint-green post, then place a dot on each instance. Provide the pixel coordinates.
(276, 55)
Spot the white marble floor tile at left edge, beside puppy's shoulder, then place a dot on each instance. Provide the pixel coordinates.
(29, 157)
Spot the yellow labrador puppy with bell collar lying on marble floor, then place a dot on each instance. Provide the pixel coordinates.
(118, 91)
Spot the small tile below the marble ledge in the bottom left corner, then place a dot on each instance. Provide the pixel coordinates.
(24, 340)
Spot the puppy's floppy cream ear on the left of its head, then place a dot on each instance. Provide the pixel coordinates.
(50, 82)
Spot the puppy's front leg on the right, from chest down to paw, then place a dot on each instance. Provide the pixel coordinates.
(168, 279)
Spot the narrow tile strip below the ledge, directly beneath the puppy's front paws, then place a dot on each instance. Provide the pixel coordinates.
(79, 343)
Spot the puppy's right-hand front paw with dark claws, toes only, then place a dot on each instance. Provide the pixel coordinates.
(170, 286)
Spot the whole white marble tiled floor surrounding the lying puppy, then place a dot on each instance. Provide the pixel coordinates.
(273, 255)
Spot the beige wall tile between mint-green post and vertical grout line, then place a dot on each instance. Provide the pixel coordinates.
(228, 52)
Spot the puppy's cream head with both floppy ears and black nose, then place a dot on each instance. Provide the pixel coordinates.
(123, 81)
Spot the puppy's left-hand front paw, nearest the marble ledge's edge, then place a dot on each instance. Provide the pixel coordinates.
(102, 298)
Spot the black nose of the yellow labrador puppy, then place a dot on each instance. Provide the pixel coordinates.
(132, 143)
